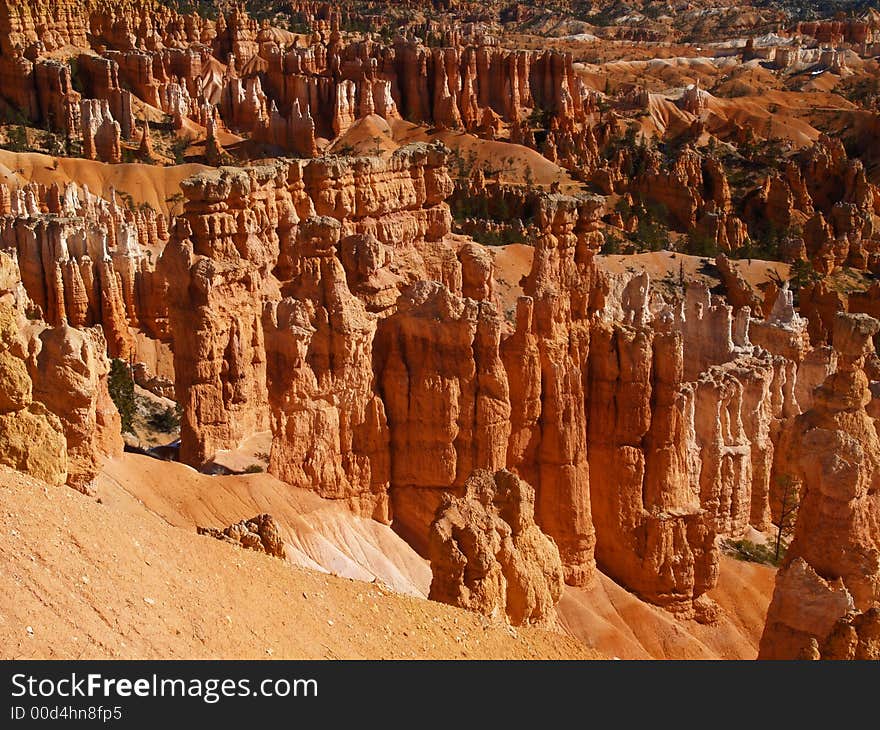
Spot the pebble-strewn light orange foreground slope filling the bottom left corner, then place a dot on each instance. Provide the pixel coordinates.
(89, 580)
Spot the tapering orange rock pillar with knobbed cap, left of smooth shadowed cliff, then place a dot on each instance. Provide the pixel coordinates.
(330, 427)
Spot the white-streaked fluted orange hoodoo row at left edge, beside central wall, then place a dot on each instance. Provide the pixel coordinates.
(85, 260)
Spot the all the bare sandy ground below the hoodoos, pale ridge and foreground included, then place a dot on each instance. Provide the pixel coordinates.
(129, 577)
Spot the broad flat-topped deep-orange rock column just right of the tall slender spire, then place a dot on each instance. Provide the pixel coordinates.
(652, 532)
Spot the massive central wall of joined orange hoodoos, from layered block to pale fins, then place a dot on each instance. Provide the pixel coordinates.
(644, 430)
